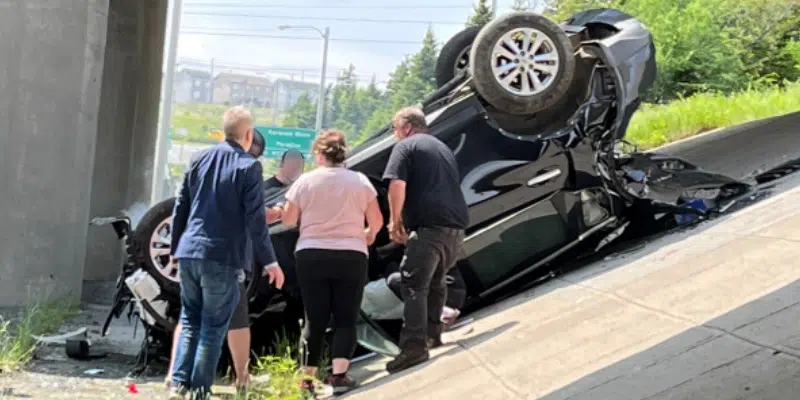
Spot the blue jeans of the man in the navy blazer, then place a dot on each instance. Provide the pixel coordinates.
(209, 294)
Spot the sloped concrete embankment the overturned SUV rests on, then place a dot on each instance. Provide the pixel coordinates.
(712, 312)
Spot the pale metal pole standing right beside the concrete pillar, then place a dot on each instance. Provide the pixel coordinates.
(160, 166)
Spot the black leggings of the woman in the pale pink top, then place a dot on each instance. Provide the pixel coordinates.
(332, 283)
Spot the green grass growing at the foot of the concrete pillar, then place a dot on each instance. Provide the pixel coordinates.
(16, 343)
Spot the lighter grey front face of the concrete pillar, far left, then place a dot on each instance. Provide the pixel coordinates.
(50, 75)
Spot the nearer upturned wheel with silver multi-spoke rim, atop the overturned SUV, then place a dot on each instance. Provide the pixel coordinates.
(514, 90)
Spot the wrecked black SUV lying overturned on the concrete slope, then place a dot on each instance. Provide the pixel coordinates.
(536, 113)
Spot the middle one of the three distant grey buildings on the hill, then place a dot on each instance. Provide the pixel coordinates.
(240, 89)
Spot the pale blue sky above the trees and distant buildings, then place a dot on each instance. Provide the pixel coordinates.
(280, 56)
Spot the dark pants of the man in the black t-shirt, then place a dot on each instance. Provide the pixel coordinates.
(430, 253)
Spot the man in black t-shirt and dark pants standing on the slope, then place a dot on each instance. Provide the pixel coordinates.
(425, 199)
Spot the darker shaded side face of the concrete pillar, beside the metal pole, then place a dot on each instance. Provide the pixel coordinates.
(127, 125)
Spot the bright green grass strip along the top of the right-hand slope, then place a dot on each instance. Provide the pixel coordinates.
(656, 125)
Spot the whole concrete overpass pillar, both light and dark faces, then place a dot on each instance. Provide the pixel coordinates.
(80, 83)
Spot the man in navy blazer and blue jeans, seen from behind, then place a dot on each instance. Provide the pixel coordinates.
(220, 208)
